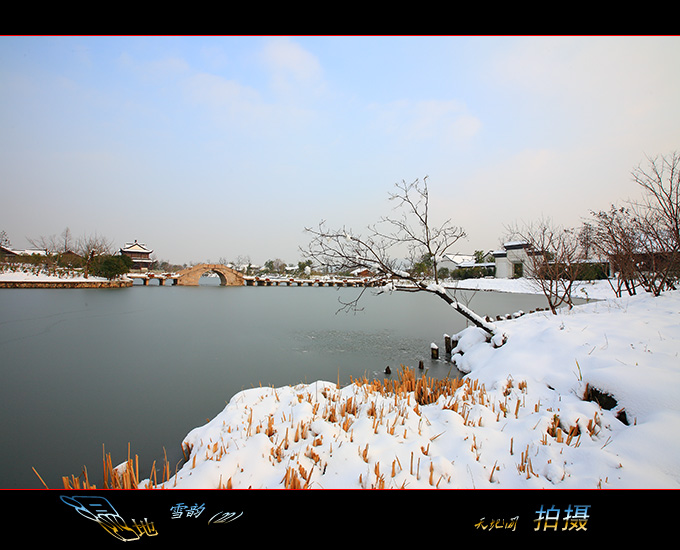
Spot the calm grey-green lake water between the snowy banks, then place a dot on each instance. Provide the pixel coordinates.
(143, 366)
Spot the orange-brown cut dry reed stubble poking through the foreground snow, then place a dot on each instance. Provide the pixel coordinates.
(406, 394)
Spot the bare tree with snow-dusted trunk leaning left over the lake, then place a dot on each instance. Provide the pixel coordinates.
(412, 234)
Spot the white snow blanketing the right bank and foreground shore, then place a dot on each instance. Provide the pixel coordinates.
(519, 419)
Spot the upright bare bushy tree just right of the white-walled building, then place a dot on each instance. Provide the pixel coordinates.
(554, 260)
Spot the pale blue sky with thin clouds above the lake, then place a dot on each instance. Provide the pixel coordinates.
(219, 147)
